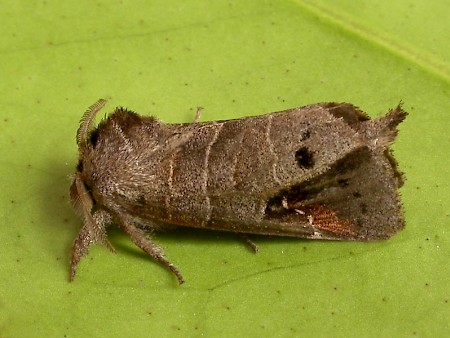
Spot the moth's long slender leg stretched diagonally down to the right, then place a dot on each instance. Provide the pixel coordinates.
(140, 238)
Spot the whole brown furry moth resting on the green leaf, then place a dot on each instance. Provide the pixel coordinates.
(323, 171)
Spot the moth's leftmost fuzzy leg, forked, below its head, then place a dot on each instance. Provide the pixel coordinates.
(93, 231)
